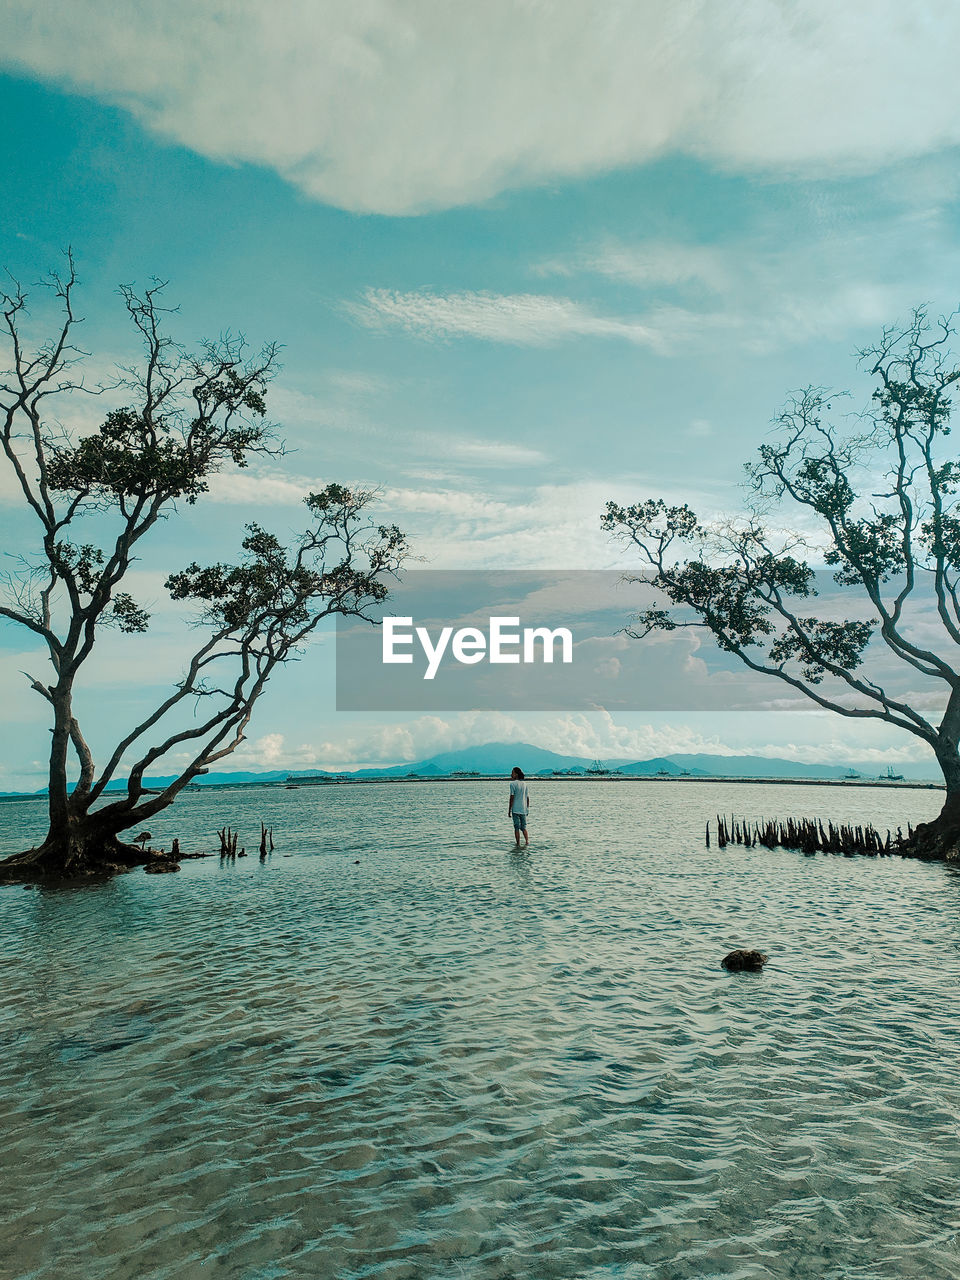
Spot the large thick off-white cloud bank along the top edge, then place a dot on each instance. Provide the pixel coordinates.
(401, 106)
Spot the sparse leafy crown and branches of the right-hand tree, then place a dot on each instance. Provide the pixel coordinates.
(875, 497)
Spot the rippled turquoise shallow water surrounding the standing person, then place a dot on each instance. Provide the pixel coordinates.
(401, 1050)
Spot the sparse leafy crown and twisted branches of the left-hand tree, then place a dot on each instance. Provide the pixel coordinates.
(177, 419)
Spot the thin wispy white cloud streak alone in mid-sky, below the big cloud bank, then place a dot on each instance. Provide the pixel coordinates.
(524, 319)
